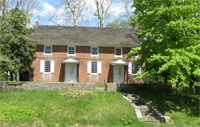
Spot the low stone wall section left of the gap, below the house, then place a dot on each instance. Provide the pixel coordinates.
(49, 85)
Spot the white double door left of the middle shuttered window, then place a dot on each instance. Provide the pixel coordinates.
(70, 72)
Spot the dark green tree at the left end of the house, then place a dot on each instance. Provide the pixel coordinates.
(14, 43)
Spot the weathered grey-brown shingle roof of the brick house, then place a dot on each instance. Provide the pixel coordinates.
(84, 35)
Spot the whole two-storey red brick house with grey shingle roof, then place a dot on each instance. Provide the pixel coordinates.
(83, 54)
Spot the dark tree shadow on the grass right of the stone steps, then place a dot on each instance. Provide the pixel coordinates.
(170, 102)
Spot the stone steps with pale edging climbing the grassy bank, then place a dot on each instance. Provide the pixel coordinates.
(143, 112)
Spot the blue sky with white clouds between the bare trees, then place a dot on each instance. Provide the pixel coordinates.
(50, 8)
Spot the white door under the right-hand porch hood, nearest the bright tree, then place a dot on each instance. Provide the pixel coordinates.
(118, 73)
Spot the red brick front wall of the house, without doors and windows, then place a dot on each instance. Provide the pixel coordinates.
(59, 53)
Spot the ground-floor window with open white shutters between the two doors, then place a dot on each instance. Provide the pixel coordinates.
(94, 67)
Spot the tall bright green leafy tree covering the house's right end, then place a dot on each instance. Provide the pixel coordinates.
(171, 47)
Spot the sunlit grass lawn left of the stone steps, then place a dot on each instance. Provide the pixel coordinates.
(53, 108)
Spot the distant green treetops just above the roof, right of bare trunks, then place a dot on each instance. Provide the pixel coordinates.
(117, 23)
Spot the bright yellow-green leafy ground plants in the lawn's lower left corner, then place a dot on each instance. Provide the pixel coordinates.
(17, 114)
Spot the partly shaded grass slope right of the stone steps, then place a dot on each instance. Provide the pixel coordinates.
(183, 109)
